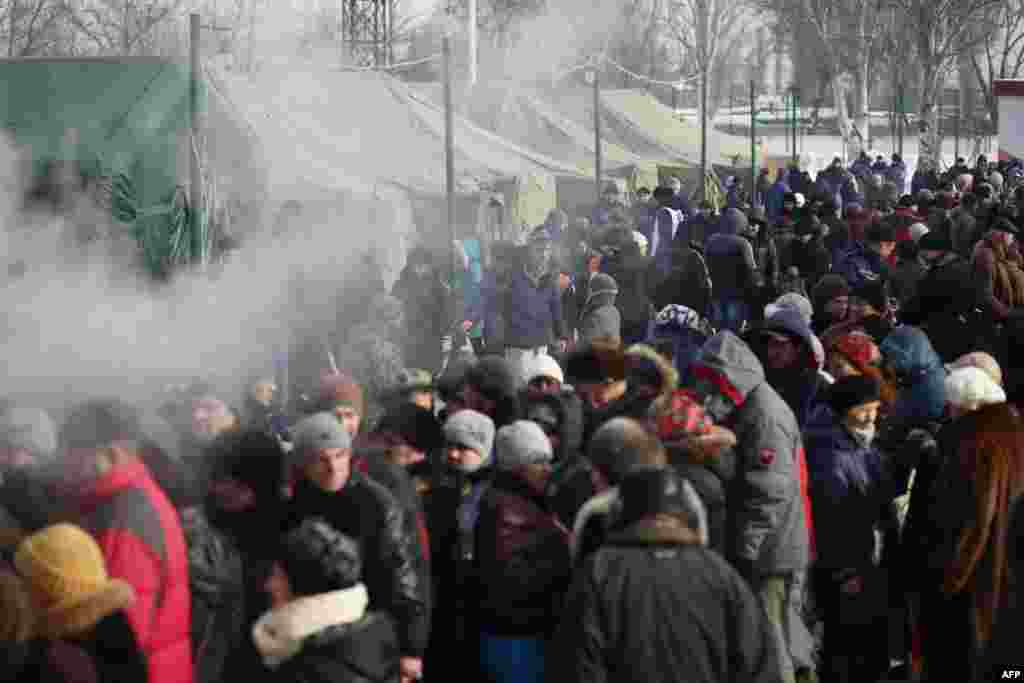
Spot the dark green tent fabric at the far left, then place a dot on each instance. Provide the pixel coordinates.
(123, 123)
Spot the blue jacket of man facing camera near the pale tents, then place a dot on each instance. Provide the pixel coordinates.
(533, 312)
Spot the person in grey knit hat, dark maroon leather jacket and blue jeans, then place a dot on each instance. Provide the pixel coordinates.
(523, 556)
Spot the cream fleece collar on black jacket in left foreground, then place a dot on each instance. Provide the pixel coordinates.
(280, 634)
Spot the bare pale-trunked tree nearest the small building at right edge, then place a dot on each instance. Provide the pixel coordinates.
(942, 30)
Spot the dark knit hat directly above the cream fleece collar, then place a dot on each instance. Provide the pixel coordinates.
(319, 560)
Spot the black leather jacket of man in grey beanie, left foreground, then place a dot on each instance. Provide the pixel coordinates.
(366, 511)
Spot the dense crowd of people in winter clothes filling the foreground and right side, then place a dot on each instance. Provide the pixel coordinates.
(654, 443)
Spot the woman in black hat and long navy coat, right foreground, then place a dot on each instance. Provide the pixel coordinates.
(851, 486)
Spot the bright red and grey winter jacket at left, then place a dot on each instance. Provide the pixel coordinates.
(141, 535)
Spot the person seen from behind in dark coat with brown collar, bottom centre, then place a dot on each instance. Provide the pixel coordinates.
(655, 605)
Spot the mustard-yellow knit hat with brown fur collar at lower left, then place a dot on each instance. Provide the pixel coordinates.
(67, 575)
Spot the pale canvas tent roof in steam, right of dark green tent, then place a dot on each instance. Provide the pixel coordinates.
(374, 129)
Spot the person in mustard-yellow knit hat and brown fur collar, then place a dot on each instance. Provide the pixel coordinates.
(80, 606)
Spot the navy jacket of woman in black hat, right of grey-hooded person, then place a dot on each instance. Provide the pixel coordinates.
(850, 489)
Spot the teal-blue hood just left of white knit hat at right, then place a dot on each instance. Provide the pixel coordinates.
(923, 395)
